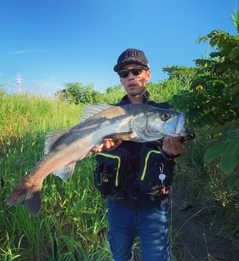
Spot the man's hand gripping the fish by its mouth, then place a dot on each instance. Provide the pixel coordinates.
(173, 146)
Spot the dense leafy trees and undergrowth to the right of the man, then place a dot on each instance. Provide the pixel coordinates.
(212, 106)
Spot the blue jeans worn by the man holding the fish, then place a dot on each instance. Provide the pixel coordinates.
(150, 224)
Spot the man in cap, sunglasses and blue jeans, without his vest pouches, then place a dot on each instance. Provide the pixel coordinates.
(132, 212)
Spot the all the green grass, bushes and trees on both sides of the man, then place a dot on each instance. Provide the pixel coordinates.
(72, 223)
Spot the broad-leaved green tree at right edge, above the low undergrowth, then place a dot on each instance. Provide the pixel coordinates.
(213, 98)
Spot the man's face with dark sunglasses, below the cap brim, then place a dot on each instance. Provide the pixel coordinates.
(135, 84)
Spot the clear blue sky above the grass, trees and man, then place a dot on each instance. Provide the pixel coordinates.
(50, 42)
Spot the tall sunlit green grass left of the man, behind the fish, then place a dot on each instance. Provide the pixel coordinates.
(72, 222)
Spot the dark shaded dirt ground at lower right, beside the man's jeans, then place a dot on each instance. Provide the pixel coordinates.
(200, 240)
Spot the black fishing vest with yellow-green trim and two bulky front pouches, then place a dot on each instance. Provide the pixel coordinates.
(135, 175)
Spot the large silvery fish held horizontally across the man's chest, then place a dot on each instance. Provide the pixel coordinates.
(63, 148)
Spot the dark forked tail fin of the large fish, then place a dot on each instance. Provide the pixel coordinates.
(27, 195)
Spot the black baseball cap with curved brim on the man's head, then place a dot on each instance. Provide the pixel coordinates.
(131, 56)
